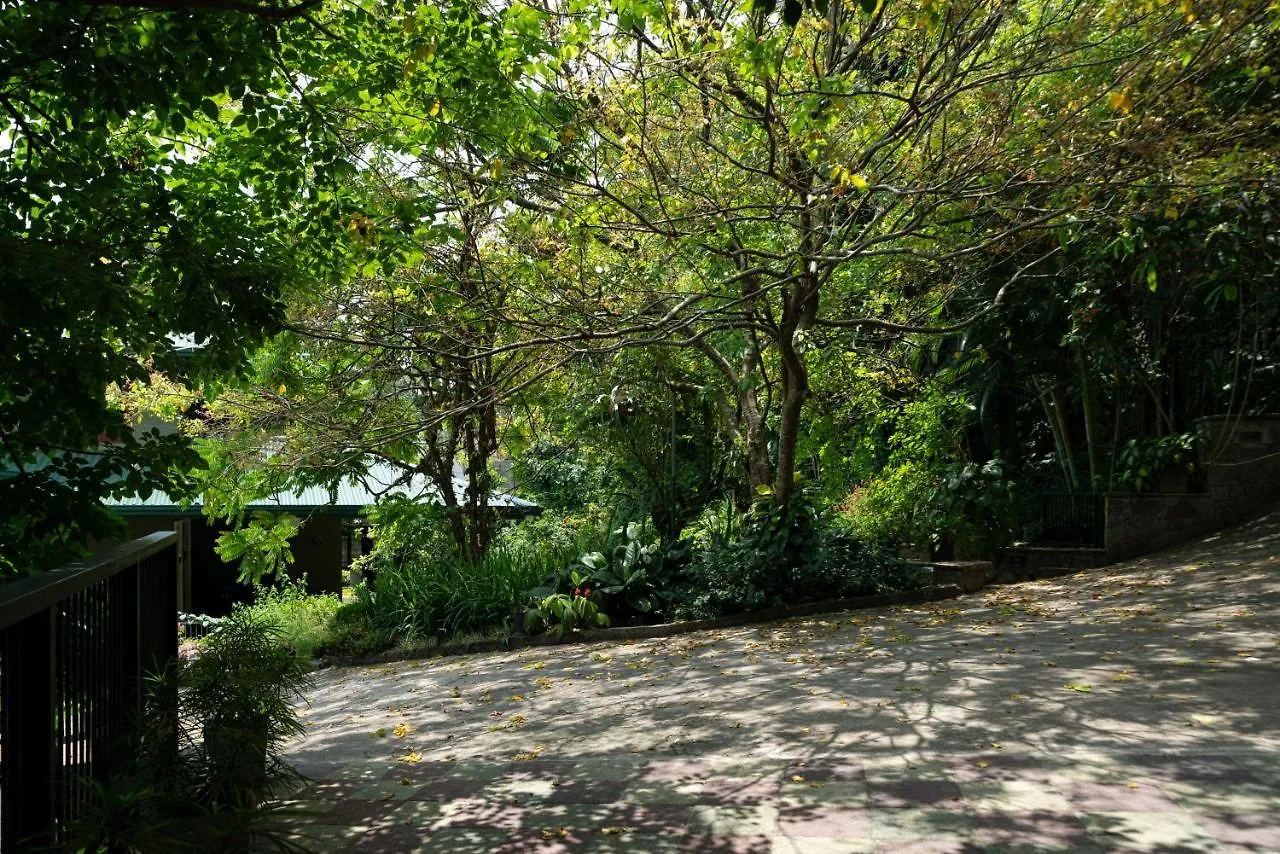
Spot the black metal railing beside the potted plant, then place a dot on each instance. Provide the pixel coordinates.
(75, 646)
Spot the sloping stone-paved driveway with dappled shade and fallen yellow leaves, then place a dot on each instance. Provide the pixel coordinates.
(1128, 709)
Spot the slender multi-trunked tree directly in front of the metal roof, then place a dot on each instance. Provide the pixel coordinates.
(397, 359)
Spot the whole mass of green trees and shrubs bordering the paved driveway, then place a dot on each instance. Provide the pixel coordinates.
(746, 296)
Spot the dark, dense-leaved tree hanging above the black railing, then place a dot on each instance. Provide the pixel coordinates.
(129, 240)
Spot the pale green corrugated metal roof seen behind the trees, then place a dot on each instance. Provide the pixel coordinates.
(351, 495)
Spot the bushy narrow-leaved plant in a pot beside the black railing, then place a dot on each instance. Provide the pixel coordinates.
(241, 693)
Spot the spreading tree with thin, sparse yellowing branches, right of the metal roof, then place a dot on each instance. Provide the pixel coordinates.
(775, 181)
